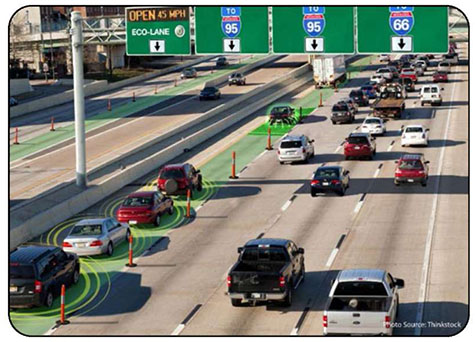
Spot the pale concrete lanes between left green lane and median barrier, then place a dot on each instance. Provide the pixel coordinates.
(99, 146)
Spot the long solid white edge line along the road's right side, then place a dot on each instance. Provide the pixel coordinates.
(430, 233)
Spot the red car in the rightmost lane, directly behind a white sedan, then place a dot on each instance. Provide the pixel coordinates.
(411, 168)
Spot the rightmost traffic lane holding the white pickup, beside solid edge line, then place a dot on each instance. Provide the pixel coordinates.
(368, 243)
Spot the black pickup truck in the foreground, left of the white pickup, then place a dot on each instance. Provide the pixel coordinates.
(267, 270)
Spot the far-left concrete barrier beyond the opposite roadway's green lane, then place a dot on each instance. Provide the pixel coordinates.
(95, 88)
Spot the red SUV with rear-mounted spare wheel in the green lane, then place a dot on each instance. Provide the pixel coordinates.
(176, 179)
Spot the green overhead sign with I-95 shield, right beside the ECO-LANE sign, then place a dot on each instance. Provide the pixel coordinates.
(231, 29)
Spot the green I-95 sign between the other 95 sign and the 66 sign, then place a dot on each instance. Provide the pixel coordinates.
(313, 29)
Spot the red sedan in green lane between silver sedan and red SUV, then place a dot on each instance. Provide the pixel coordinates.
(145, 207)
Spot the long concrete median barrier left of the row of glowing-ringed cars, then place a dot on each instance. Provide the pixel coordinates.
(42, 222)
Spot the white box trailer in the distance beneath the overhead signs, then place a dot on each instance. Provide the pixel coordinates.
(327, 70)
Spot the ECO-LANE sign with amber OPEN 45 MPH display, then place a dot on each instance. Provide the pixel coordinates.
(157, 31)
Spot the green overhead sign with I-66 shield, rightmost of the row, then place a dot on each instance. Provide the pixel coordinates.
(403, 29)
